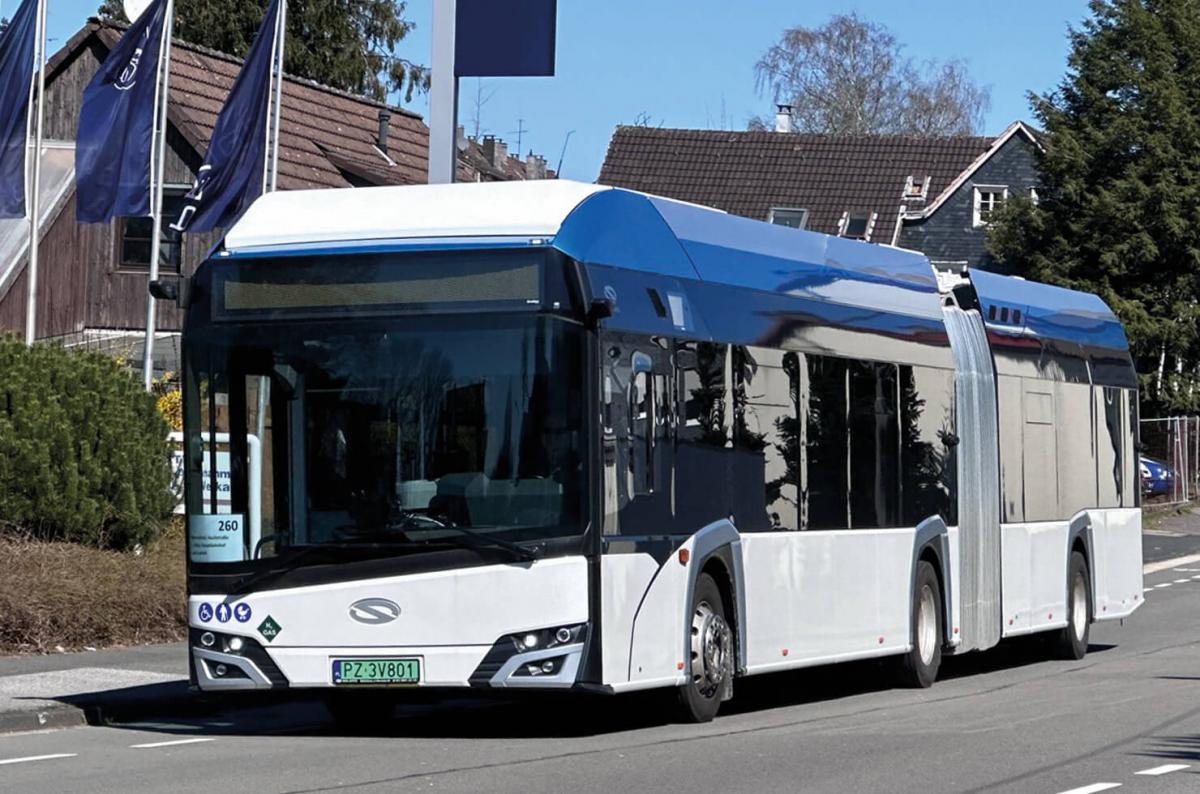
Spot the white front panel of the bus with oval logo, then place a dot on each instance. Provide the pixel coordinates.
(451, 618)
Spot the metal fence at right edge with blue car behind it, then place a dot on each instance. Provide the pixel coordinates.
(1171, 460)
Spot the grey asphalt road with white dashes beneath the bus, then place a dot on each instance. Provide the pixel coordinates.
(1004, 721)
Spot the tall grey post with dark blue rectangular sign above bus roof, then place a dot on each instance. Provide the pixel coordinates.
(482, 39)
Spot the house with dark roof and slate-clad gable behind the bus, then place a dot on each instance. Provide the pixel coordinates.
(931, 195)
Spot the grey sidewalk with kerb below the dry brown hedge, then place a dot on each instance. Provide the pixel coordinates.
(64, 690)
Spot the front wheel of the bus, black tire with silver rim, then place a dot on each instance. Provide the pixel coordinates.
(711, 670)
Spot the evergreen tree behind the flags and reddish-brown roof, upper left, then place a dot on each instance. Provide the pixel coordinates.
(350, 45)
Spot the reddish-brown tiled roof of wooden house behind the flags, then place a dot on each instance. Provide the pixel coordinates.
(328, 136)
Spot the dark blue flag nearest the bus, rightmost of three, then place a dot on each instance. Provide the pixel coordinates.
(232, 175)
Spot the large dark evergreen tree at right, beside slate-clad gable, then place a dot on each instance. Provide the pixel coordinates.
(1119, 212)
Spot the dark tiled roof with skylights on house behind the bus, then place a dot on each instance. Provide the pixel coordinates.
(748, 173)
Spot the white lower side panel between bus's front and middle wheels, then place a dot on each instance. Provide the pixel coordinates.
(824, 597)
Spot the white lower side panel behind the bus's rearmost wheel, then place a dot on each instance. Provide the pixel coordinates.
(1118, 575)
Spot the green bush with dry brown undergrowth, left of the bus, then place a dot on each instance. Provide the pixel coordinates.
(89, 554)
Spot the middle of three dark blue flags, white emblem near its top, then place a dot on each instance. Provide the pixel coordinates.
(117, 125)
